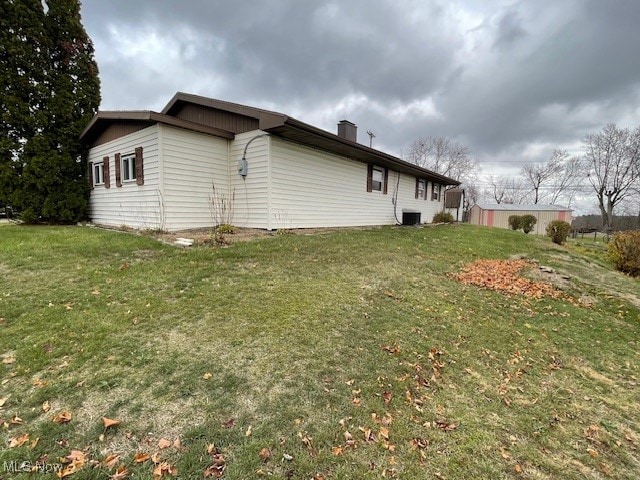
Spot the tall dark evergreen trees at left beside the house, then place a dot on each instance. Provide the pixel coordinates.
(49, 90)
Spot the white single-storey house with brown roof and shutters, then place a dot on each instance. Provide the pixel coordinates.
(202, 159)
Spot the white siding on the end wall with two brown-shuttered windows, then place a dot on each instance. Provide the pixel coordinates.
(132, 205)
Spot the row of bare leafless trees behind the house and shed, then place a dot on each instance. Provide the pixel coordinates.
(609, 167)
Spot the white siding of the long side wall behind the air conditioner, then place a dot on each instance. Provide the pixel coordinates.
(312, 188)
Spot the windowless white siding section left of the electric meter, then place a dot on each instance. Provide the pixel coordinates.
(193, 163)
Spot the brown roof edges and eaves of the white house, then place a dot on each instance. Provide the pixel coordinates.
(268, 121)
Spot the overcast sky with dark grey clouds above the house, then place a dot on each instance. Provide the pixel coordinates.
(512, 80)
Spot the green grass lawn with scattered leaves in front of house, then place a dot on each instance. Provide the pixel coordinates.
(339, 355)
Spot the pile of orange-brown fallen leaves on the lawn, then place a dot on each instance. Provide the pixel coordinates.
(504, 276)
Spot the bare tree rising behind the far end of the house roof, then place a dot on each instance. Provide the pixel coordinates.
(443, 156)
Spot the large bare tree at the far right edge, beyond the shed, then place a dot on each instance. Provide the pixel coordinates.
(612, 163)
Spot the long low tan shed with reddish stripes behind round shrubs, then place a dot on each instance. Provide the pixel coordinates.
(497, 215)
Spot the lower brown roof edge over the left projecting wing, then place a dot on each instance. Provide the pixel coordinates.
(103, 119)
